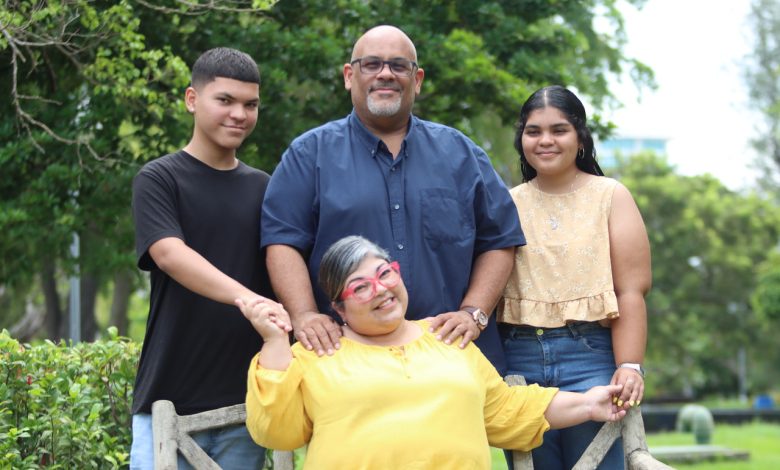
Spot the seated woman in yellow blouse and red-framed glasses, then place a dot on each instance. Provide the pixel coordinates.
(393, 396)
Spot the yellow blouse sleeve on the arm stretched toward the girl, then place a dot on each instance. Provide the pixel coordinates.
(514, 416)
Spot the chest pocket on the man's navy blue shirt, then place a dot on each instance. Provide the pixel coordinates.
(445, 218)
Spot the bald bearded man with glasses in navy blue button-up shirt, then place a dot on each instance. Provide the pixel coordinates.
(423, 191)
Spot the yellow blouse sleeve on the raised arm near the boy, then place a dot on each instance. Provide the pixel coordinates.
(275, 414)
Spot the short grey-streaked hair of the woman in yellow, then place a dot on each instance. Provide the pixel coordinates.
(342, 259)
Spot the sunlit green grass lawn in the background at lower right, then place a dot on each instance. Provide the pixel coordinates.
(762, 440)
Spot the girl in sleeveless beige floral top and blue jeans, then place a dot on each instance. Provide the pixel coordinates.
(573, 312)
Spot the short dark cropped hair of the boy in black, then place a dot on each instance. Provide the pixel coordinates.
(227, 63)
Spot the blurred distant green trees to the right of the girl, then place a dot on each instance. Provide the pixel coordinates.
(706, 241)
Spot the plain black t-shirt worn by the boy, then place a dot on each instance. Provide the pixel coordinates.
(196, 351)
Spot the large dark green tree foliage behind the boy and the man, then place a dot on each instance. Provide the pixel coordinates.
(95, 90)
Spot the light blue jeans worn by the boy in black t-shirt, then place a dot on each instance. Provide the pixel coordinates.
(231, 447)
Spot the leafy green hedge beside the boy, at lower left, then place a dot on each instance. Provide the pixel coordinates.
(66, 407)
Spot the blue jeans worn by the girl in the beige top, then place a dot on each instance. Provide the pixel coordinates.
(573, 358)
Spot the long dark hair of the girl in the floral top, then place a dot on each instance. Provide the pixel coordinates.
(566, 102)
